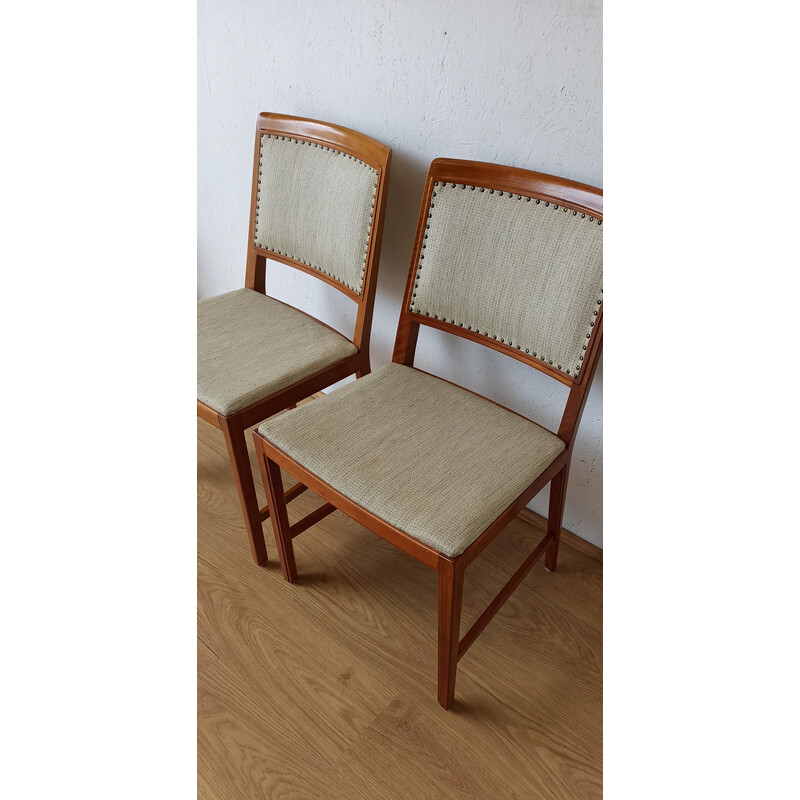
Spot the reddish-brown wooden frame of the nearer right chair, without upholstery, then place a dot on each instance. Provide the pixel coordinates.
(581, 198)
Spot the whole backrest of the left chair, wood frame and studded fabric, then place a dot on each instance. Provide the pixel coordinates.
(318, 204)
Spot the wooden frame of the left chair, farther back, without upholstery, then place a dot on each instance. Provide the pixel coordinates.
(234, 426)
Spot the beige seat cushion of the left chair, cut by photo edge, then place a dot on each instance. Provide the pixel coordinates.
(250, 346)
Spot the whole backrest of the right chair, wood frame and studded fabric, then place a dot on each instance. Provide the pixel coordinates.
(511, 259)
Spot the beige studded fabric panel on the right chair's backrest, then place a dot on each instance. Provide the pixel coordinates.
(522, 271)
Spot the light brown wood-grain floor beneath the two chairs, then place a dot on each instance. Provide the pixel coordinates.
(327, 688)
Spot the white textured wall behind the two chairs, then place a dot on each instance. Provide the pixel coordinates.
(510, 82)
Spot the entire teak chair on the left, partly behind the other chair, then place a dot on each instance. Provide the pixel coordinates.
(318, 201)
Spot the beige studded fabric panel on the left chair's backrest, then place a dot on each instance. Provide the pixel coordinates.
(315, 205)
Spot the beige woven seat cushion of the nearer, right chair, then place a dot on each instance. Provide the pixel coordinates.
(435, 461)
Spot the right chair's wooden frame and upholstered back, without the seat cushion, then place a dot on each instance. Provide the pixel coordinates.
(544, 229)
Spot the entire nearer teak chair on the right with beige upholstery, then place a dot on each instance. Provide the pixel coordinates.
(504, 257)
